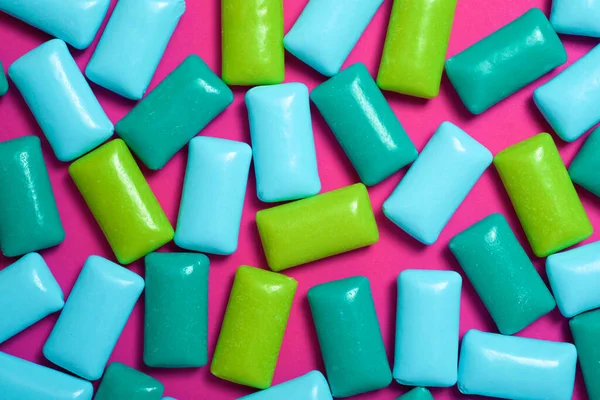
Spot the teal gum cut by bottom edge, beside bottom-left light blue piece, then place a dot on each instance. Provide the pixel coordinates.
(121, 382)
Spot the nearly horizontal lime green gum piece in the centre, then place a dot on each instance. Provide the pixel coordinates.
(317, 227)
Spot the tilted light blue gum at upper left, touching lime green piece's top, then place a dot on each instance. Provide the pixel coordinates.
(61, 100)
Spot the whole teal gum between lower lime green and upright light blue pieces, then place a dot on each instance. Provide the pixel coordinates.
(349, 336)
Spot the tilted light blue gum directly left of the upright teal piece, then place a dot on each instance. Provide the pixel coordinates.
(93, 317)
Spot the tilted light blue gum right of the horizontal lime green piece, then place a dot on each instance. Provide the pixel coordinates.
(437, 183)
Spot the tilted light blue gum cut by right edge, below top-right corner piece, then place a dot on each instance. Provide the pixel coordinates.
(569, 101)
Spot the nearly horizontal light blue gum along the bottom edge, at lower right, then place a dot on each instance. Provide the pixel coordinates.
(512, 367)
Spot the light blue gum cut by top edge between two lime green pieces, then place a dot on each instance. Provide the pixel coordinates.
(327, 31)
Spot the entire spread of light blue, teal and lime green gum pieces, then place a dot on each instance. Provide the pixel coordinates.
(307, 225)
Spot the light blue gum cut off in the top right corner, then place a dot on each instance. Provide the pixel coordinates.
(576, 17)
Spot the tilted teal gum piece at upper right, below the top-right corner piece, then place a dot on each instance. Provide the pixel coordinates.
(505, 61)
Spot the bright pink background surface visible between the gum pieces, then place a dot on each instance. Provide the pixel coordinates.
(199, 32)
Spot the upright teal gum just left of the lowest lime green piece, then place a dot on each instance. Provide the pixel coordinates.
(176, 310)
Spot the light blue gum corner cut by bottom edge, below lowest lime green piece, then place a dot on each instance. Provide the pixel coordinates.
(310, 386)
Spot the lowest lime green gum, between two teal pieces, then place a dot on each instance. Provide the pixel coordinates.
(253, 327)
